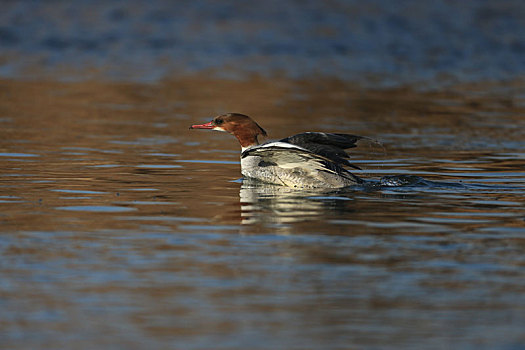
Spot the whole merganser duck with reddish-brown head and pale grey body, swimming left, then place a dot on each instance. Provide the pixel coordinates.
(307, 160)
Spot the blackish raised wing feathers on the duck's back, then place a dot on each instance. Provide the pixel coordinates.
(331, 146)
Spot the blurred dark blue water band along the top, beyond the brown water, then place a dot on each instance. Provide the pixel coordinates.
(372, 41)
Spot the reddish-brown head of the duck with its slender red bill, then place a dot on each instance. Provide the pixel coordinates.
(239, 125)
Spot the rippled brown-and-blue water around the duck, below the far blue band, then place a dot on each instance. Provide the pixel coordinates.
(122, 228)
